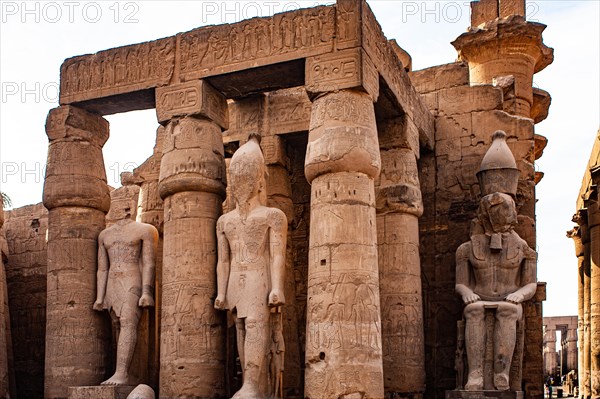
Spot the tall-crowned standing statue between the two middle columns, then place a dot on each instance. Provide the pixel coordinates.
(250, 269)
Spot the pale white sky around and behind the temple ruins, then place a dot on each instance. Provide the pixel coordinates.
(36, 36)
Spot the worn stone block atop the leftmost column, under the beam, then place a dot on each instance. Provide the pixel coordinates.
(72, 122)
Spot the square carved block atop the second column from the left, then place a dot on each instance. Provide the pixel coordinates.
(196, 97)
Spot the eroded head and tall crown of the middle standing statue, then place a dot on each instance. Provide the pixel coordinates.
(247, 174)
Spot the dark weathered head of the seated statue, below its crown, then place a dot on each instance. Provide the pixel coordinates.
(497, 213)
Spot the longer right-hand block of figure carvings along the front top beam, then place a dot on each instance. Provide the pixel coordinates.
(215, 50)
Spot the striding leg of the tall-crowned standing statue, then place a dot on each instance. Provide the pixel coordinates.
(256, 350)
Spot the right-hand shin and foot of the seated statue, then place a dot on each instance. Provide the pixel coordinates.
(505, 338)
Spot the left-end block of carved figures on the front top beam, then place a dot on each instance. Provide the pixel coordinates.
(119, 70)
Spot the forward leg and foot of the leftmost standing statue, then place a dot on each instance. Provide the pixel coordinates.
(128, 320)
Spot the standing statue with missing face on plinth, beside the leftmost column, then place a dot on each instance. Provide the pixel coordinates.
(126, 265)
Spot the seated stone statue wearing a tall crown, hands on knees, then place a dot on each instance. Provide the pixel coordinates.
(496, 269)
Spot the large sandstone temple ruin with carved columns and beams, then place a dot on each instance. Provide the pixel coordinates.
(355, 182)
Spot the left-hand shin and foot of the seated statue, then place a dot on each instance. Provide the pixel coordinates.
(474, 341)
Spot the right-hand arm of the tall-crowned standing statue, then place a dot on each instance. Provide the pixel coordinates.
(278, 245)
